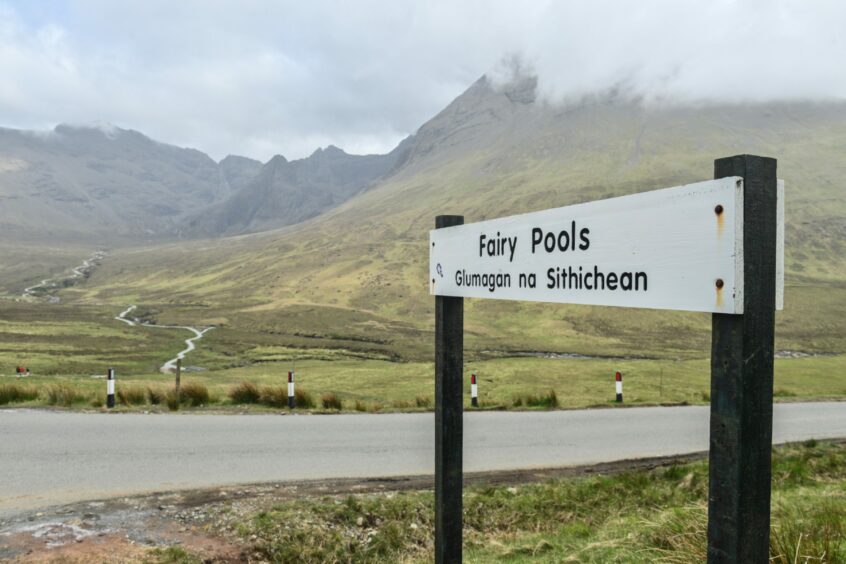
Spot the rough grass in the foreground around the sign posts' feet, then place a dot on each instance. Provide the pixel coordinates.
(650, 516)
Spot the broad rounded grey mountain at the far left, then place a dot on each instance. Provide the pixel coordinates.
(89, 183)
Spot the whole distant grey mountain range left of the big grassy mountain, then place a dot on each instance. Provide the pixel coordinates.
(115, 186)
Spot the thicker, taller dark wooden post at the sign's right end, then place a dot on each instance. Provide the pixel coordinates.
(742, 381)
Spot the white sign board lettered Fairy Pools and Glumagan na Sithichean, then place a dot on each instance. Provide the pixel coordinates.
(678, 248)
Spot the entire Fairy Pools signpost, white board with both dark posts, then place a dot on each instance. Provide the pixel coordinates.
(715, 246)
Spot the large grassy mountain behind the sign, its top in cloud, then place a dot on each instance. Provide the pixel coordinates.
(356, 275)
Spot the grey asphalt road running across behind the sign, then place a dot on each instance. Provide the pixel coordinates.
(48, 458)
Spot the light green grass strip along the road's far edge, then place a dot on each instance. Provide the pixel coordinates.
(530, 383)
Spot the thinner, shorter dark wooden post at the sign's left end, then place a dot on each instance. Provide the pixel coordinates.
(449, 396)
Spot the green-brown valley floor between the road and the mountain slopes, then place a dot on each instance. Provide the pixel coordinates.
(345, 360)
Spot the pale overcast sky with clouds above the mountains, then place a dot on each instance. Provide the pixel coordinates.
(259, 78)
